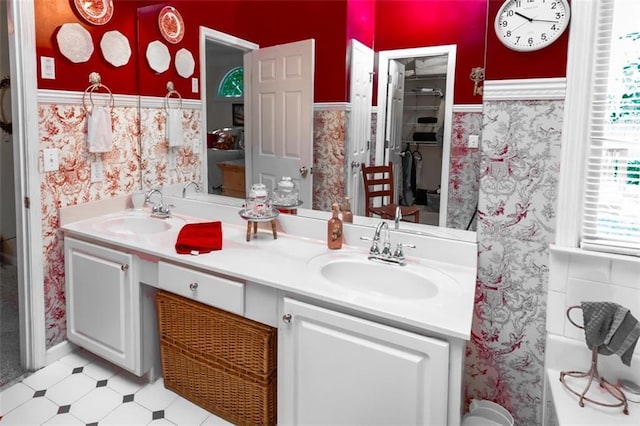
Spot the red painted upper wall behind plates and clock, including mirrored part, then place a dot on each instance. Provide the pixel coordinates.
(383, 24)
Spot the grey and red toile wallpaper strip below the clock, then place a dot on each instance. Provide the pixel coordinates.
(519, 172)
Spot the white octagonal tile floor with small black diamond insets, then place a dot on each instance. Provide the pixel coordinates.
(82, 389)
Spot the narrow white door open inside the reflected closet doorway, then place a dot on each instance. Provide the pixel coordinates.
(393, 128)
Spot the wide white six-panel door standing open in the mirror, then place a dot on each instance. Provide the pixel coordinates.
(281, 121)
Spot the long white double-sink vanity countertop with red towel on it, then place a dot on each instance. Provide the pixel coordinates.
(282, 264)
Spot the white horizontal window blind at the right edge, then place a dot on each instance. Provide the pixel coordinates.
(611, 213)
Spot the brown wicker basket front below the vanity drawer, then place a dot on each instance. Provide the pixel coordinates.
(221, 361)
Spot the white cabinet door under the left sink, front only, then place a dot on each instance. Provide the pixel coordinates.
(100, 300)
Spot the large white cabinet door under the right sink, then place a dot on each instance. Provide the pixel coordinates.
(339, 369)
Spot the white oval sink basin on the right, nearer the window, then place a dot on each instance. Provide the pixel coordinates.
(356, 273)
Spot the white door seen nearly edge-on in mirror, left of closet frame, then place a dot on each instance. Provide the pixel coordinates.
(359, 140)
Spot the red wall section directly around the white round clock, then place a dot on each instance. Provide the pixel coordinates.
(504, 64)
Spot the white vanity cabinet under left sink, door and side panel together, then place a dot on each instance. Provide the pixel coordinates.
(108, 311)
